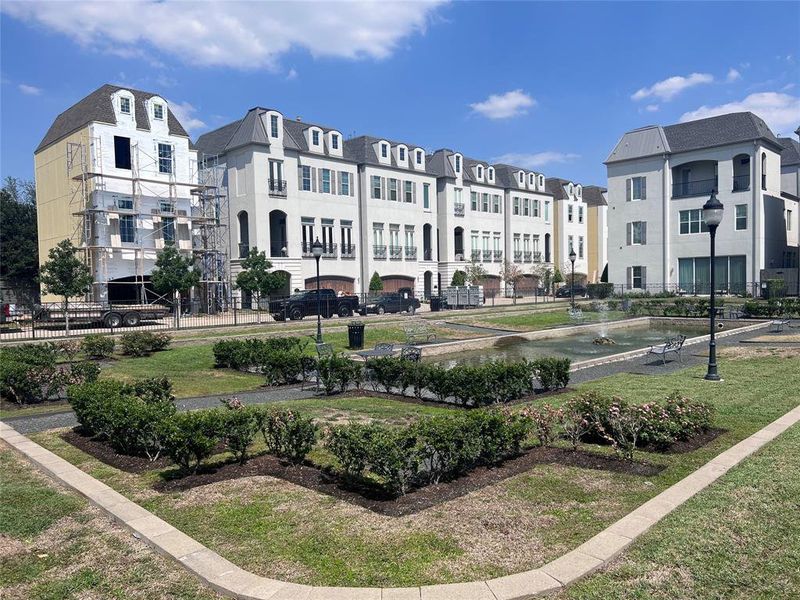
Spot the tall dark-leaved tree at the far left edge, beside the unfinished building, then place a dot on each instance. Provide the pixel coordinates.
(19, 251)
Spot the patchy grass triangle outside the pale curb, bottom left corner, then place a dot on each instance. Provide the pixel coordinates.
(56, 547)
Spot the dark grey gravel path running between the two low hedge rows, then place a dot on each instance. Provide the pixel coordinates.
(693, 355)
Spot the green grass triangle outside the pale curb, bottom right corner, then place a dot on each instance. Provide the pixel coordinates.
(749, 546)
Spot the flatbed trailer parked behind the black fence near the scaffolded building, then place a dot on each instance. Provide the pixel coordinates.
(128, 315)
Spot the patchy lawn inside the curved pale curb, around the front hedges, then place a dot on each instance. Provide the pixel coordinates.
(276, 528)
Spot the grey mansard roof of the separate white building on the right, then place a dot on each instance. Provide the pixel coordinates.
(721, 130)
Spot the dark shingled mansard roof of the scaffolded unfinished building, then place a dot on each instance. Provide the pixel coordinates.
(97, 107)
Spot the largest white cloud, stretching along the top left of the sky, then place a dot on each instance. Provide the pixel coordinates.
(242, 35)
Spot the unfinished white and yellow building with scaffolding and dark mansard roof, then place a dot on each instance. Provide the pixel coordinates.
(117, 174)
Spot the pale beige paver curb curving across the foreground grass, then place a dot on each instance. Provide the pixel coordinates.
(228, 579)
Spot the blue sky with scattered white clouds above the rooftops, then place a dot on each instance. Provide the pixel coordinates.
(549, 86)
